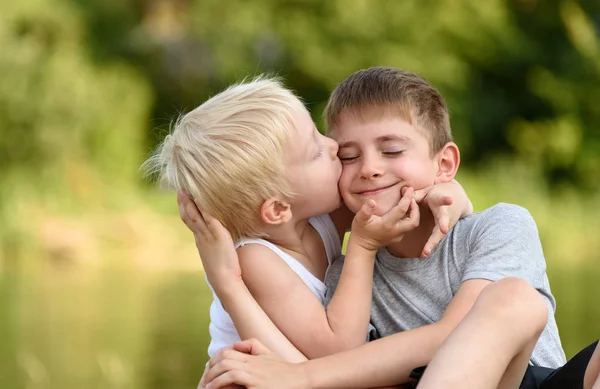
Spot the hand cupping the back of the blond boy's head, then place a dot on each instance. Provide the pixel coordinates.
(213, 241)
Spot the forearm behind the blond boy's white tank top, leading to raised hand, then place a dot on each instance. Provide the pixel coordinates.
(251, 321)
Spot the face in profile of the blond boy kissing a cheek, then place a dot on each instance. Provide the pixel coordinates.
(313, 168)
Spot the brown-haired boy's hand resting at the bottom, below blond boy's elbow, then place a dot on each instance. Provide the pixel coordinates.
(252, 365)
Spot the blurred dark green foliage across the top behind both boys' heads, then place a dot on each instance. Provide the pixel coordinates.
(520, 77)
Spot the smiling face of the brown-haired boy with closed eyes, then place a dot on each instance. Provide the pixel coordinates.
(379, 157)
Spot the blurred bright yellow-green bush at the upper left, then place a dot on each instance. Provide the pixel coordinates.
(62, 116)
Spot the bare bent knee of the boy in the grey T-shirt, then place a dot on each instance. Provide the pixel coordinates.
(517, 300)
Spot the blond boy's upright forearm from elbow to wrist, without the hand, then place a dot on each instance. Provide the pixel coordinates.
(349, 310)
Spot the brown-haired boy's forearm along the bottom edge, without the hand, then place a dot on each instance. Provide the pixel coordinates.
(384, 362)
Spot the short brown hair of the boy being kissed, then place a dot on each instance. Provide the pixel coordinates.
(380, 92)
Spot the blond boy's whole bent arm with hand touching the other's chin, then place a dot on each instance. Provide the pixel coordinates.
(315, 330)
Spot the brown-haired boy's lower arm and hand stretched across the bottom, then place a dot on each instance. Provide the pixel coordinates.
(362, 367)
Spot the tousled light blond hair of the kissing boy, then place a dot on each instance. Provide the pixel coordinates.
(227, 153)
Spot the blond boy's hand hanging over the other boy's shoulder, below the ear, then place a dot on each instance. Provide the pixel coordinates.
(446, 212)
